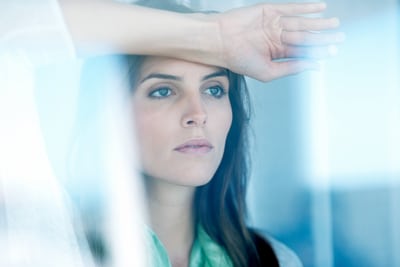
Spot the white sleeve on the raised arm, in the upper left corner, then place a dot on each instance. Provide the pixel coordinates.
(36, 30)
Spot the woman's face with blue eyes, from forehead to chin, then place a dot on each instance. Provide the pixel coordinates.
(183, 114)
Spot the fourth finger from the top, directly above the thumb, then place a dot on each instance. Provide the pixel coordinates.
(312, 52)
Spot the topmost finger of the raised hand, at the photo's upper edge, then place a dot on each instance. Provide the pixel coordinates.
(300, 8)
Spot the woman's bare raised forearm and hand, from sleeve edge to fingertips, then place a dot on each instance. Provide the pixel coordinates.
(247, 40)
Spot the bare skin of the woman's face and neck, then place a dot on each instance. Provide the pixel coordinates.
(176, 102)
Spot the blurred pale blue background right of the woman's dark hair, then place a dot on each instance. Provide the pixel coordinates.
(326, 154)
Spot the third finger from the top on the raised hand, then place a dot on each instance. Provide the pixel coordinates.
(311, 38)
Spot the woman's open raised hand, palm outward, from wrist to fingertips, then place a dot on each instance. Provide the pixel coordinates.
(268, 41)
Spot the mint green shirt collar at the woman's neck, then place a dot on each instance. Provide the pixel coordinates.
(205, 252)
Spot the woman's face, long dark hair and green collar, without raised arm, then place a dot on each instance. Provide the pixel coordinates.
(191, 125)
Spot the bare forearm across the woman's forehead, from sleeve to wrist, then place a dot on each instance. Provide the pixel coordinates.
(101, 27)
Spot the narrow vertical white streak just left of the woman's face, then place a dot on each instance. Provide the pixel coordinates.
(124, 195)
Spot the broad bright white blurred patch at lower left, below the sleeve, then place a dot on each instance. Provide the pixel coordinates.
(38, 222)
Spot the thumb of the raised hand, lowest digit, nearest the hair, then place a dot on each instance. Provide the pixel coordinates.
(291, 67)
